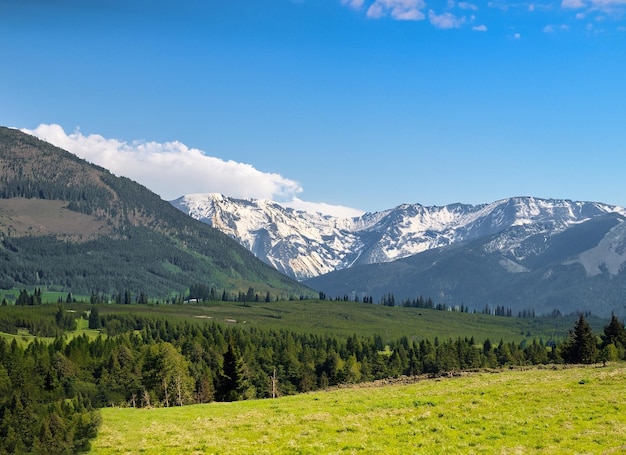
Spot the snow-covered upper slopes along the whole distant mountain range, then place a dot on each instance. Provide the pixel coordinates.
(305, 245)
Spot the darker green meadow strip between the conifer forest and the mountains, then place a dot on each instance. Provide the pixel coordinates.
(344, 319)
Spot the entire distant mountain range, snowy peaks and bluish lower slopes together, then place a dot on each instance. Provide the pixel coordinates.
(522, 252)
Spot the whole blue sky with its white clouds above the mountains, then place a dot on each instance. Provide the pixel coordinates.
(360, 104)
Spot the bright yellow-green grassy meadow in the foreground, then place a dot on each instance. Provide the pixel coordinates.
(549, 410)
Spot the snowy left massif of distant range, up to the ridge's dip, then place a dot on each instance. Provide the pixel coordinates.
(299, 244)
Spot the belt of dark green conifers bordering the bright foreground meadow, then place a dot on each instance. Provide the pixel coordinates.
(50, 392)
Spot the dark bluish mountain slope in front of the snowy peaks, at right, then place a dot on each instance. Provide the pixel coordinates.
(523, 267)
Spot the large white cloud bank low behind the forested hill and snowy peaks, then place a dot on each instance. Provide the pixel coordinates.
(171, 169)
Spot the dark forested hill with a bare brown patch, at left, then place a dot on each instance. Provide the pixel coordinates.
(71, 225)
